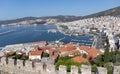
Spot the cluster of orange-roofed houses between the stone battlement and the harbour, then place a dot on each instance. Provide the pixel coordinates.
(47, 53)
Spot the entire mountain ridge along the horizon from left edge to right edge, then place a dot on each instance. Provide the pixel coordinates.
(112, 12)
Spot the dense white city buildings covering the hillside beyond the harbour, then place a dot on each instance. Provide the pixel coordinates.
(104, 25)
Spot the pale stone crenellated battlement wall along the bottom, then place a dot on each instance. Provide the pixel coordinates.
(12, 66)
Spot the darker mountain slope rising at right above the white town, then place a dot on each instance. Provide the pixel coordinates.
(112, 12)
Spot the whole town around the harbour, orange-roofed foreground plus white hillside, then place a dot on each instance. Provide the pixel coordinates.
(105, 31)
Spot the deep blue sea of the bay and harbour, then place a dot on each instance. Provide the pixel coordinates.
(25, 34)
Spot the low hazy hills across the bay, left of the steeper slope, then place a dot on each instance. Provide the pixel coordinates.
(59, 18)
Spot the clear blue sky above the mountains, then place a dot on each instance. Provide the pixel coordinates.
(12, 9)
